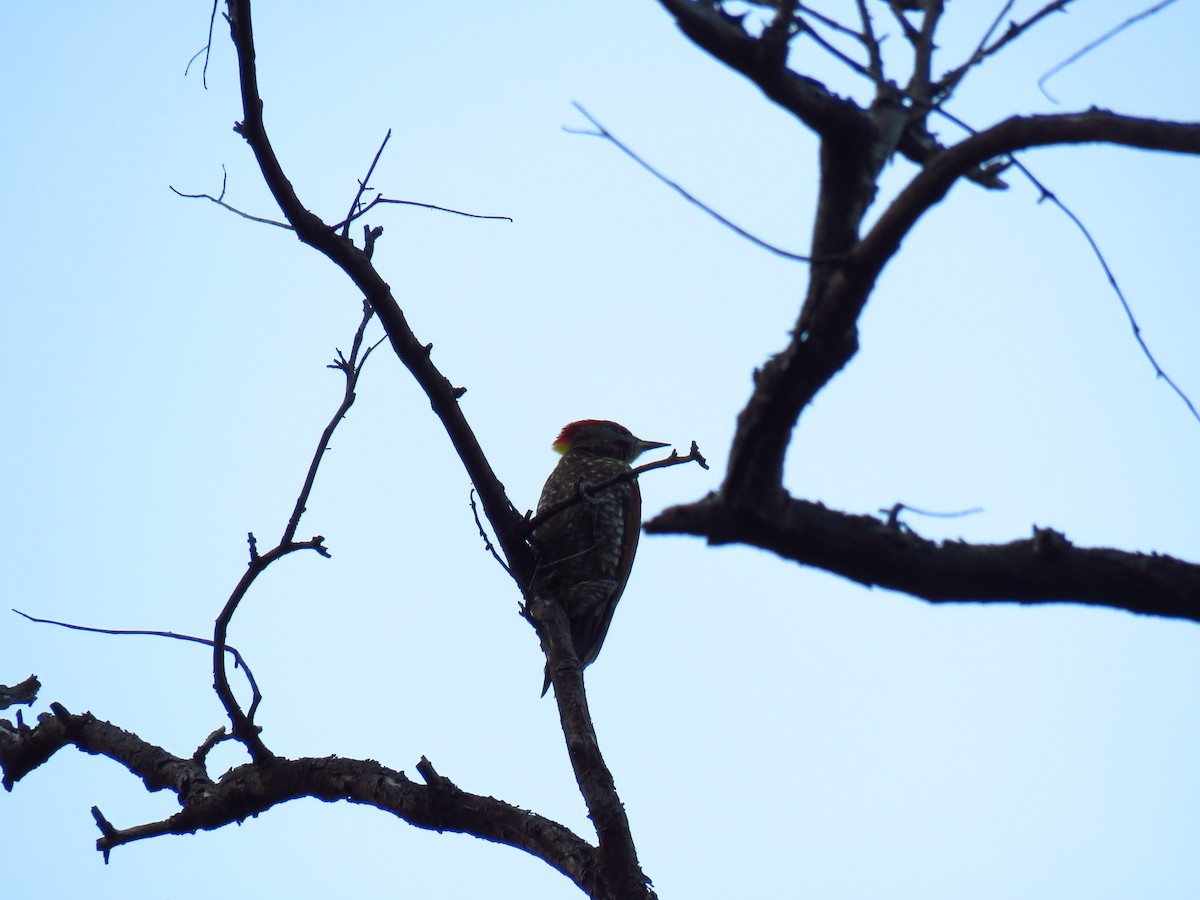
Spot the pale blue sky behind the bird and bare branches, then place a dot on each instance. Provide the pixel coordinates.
(773, 731)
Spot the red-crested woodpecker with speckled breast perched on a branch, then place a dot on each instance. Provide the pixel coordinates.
(586, 551)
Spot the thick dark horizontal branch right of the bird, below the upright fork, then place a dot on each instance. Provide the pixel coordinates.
(1046, 568)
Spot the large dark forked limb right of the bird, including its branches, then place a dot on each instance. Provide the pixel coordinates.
(753, 506)
